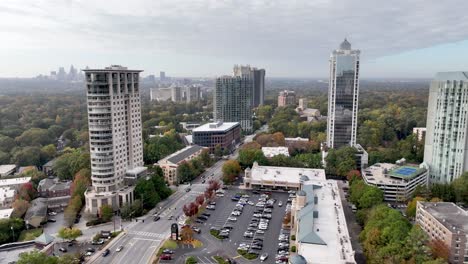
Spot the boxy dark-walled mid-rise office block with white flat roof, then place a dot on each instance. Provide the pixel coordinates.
(209, 135)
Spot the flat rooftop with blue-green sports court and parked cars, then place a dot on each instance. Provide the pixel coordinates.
(387, 173)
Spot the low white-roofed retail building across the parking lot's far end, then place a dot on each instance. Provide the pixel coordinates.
(279, 178)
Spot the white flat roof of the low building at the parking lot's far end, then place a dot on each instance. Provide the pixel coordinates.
(285, 174)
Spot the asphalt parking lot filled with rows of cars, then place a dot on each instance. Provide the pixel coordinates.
(269, 240)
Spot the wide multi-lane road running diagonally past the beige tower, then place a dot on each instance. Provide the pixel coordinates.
(141, 239)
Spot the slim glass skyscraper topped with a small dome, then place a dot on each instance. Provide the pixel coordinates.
(343, 93)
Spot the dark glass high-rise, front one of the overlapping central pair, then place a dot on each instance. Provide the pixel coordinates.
(232, 101)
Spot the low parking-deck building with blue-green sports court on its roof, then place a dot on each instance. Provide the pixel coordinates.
(396, 181)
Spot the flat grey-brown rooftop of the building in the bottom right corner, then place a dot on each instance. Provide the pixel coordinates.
(448, 214)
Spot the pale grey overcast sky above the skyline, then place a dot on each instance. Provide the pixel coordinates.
(290, 38)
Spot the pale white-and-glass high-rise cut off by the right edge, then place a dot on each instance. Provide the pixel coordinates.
(446, 147)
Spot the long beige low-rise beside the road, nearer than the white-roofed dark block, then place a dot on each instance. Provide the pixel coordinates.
(170, 163)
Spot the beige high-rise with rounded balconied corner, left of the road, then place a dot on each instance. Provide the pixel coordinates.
(115, 139)
